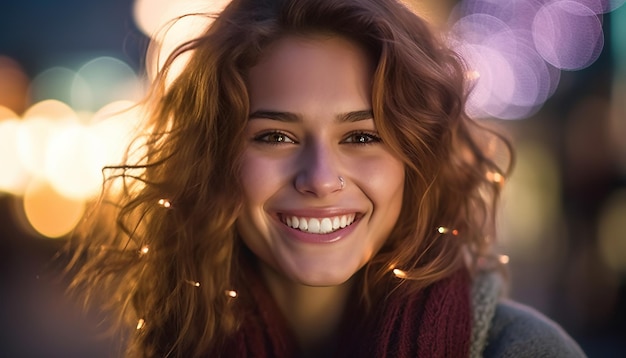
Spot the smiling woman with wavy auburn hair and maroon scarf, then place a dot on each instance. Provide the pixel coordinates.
(311, 187)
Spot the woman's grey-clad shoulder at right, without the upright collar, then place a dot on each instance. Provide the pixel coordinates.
(517, 330)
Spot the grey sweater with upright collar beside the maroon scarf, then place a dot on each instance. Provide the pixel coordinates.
(503, 328)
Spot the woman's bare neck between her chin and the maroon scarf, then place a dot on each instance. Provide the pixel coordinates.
(313, 313)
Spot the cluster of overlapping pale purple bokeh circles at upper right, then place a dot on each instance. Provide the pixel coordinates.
(519, 47)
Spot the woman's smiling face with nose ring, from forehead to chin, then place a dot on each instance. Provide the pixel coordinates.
(322, 191)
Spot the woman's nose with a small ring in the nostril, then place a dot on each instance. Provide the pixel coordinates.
(319, 171)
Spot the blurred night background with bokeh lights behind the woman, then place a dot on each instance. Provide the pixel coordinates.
(552, 74)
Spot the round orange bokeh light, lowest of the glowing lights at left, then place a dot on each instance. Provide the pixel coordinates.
(49, 213)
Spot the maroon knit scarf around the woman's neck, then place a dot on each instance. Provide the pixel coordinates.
(435, 322)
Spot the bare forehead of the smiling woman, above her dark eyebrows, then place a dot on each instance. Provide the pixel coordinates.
(302, 71)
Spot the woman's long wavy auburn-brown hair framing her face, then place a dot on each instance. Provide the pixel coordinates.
(191, 162)
